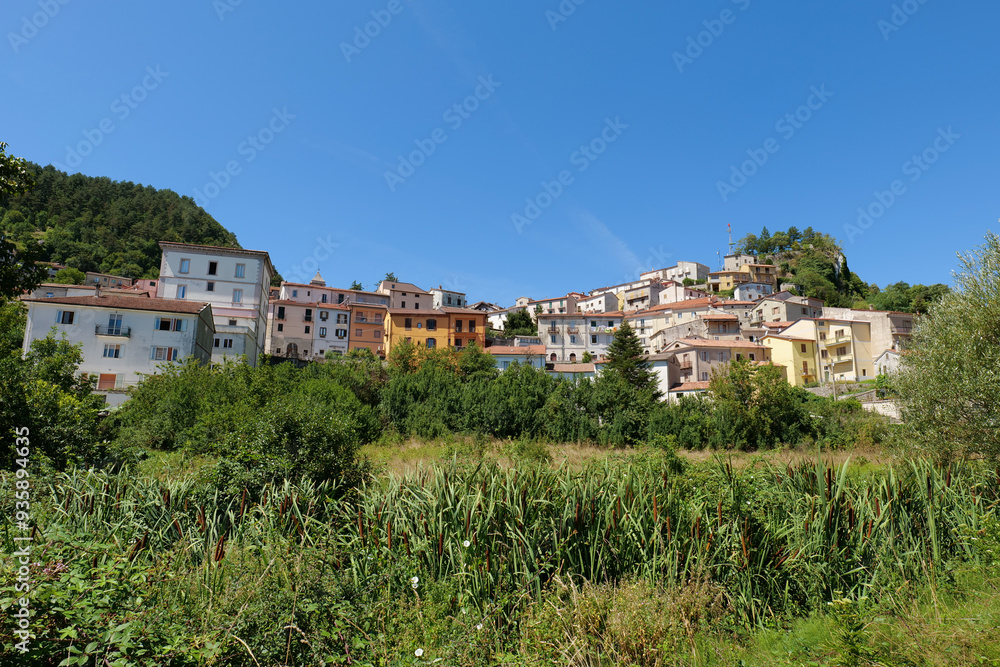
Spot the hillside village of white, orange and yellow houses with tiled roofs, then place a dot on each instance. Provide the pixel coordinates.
(213, 303)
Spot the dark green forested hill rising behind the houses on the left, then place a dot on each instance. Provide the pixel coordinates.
(92, 223)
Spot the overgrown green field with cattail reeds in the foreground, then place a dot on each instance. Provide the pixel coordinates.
(471, 552)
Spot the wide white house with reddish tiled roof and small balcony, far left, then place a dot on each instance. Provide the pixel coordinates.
(124, 338)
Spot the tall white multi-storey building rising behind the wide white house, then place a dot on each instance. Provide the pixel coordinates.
(235, 281)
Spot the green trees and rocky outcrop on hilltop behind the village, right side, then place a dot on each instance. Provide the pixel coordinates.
(816, 263)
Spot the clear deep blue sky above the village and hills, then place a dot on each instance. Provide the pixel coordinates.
(625, 136)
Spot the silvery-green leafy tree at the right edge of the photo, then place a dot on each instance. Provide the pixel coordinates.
(949, 378)
